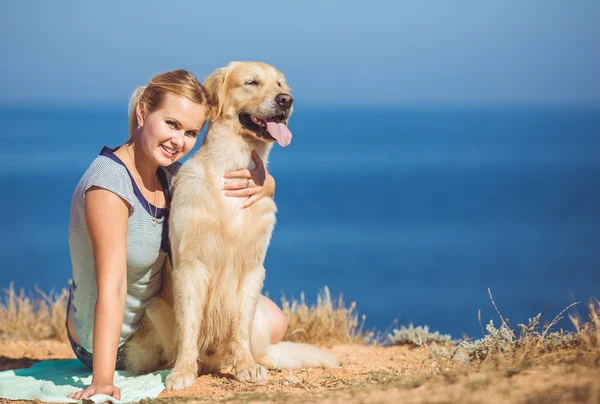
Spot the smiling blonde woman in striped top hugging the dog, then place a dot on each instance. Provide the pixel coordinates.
(118, 231)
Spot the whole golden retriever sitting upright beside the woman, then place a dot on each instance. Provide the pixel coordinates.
(209, 316)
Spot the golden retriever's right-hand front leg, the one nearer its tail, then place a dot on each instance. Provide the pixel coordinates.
(245, 367)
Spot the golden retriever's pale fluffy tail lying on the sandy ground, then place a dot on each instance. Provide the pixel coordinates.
(290, 355)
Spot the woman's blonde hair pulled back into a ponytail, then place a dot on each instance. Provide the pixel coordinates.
(151, 97)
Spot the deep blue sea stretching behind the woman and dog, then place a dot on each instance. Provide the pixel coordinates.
(411, 212)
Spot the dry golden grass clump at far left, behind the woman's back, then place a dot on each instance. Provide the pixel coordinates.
(36, 316)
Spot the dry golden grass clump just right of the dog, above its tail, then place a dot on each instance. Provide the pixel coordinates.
(328, 322)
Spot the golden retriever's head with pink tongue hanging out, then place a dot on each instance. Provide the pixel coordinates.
(255, 97)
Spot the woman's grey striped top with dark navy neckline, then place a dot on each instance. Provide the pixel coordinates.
(147, 244)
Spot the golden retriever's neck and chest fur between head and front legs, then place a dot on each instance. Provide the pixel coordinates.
(228, 242)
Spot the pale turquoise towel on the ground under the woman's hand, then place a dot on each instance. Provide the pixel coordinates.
(52, 381)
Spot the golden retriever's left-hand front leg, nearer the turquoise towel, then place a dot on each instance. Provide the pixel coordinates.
(190, 282)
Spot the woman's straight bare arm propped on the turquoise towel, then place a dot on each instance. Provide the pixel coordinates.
(106, 217)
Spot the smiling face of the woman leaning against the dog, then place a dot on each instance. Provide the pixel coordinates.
(170, 132)
